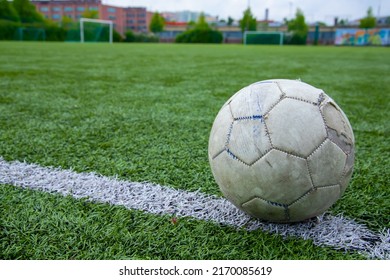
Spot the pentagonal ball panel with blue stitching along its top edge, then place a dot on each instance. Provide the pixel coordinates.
(249, 140)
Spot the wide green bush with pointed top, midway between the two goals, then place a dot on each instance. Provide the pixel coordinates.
(201, 32)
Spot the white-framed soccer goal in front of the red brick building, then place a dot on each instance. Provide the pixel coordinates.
(96, 30)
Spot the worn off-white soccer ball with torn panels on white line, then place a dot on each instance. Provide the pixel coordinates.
(281, 150)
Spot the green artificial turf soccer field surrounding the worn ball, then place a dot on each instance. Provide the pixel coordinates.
(143, 113)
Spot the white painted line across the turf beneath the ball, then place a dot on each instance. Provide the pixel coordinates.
(335, 231)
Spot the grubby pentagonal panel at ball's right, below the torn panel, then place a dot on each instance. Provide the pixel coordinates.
(327, 164)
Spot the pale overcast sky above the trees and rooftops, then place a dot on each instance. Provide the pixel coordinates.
(314, 10)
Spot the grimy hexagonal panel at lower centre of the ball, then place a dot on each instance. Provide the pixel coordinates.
(282, 178)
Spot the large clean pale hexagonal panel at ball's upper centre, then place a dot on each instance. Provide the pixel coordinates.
(296, 127)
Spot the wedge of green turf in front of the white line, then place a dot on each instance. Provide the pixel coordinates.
(53, 227)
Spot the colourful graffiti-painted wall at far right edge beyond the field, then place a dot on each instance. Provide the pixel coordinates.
(363, 37)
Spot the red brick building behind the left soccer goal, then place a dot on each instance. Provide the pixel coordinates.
(124, 18)
